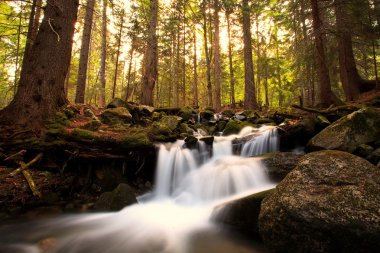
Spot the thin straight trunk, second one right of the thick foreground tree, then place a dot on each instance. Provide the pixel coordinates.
(103, 57)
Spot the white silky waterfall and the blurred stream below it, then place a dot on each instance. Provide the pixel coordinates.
(174, 218)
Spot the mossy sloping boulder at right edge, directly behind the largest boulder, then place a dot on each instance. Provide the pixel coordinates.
(347, 133)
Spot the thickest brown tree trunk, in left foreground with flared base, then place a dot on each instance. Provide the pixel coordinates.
(41, 88)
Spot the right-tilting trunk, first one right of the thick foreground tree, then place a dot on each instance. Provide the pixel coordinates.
(84, 52)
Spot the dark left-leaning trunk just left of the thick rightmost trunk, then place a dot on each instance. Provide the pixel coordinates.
(325, 93)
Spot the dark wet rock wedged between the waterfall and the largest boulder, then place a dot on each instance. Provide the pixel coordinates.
(279, 164)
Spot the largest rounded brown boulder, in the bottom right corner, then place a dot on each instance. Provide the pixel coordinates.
(329, 203)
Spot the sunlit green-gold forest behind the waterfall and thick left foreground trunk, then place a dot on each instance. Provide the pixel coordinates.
(218, 54)
